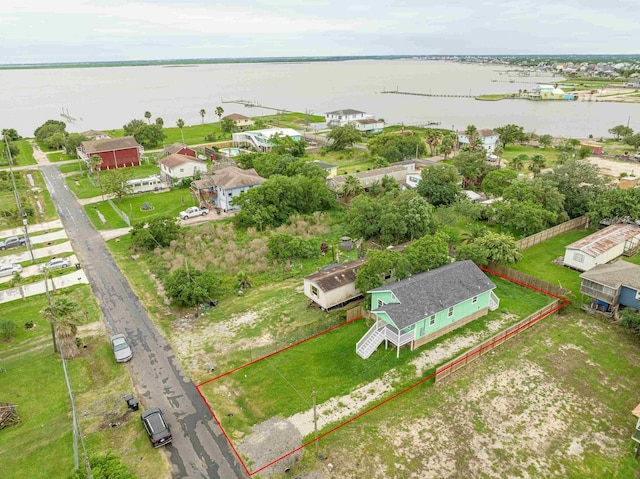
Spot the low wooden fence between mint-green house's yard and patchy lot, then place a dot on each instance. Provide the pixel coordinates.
(486, 346)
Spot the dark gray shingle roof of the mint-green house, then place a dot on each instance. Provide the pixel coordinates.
(428, 293)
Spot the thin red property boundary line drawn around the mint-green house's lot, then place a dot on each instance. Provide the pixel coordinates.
(563, 303)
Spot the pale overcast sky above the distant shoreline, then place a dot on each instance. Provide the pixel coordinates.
(52, 31)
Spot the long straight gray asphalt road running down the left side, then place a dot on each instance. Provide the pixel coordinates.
(199, 448)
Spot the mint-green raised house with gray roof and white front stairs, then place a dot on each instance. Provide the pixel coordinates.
(428, 305)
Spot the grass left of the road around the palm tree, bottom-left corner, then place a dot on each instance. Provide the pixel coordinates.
(41, 444)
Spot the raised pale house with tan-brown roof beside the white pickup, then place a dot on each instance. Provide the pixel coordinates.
(226, 184)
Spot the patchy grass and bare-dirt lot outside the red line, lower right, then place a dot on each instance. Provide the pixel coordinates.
(573, 373)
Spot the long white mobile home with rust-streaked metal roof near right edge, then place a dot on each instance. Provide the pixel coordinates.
(602, 246)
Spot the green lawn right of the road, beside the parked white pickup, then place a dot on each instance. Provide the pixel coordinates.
(164, 204)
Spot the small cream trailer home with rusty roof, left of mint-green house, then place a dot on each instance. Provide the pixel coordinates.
(334, 285)
